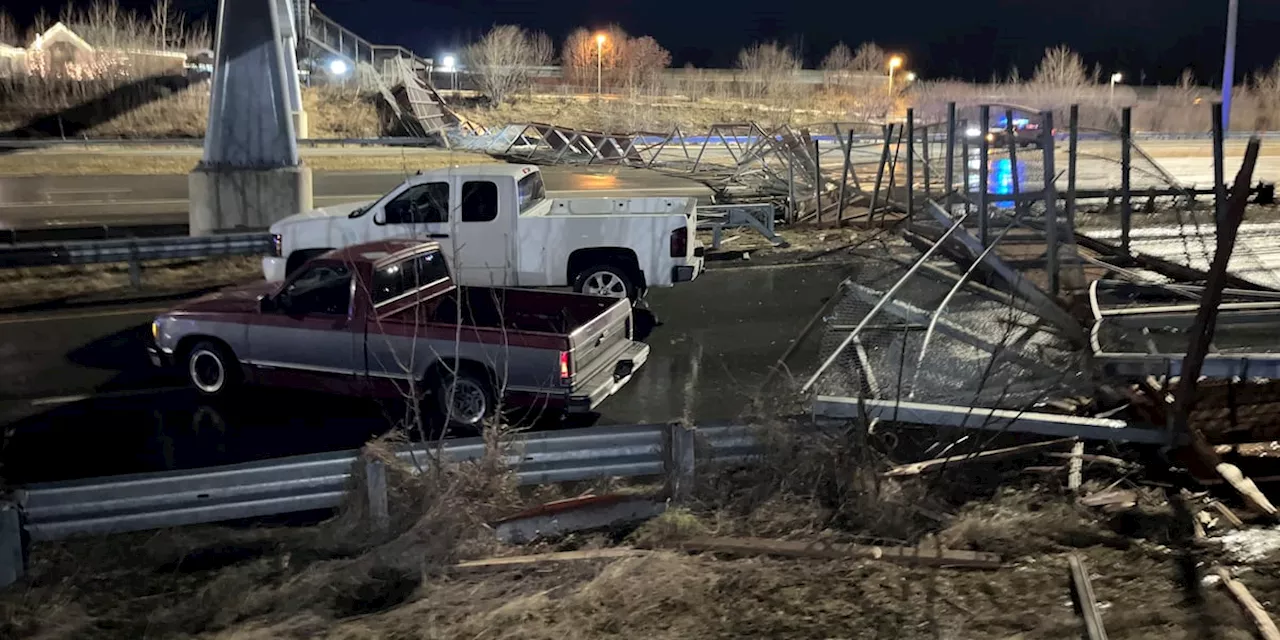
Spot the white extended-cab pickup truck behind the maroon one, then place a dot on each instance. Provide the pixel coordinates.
(497, 228)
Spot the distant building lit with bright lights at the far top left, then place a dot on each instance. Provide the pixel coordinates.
(61, 53)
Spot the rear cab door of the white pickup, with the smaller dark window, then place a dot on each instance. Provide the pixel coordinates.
(476, 240)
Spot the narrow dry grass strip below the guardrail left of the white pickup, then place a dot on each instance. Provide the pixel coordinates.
(33, 286)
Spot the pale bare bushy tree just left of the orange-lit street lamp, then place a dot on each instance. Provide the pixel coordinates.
(502, 61)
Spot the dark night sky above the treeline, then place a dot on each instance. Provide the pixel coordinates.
(968, 40)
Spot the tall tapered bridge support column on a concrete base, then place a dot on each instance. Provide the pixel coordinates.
(252, 173)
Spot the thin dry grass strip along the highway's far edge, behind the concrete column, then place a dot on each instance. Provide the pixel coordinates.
(99, 161)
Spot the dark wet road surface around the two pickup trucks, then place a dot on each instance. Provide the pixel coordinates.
(77, 397)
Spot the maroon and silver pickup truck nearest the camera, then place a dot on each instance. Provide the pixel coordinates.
(385, 319)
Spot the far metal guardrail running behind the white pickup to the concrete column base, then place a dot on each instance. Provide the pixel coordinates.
(134, 250)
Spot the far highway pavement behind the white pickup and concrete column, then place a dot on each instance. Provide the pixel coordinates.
(61, 202)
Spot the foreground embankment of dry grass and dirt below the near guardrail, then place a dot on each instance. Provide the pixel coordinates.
(337, 580)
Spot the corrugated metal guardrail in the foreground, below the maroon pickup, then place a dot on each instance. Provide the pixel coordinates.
(287, 486)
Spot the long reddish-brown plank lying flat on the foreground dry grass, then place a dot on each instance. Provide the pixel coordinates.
(927, 556)
